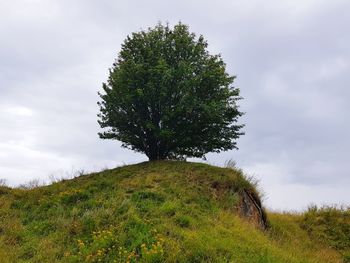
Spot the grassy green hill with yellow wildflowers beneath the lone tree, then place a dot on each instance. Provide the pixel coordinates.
(162, 212)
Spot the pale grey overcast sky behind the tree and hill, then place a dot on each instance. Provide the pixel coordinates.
(291, 59)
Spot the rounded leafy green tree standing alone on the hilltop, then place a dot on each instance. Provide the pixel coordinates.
(168, 98)
